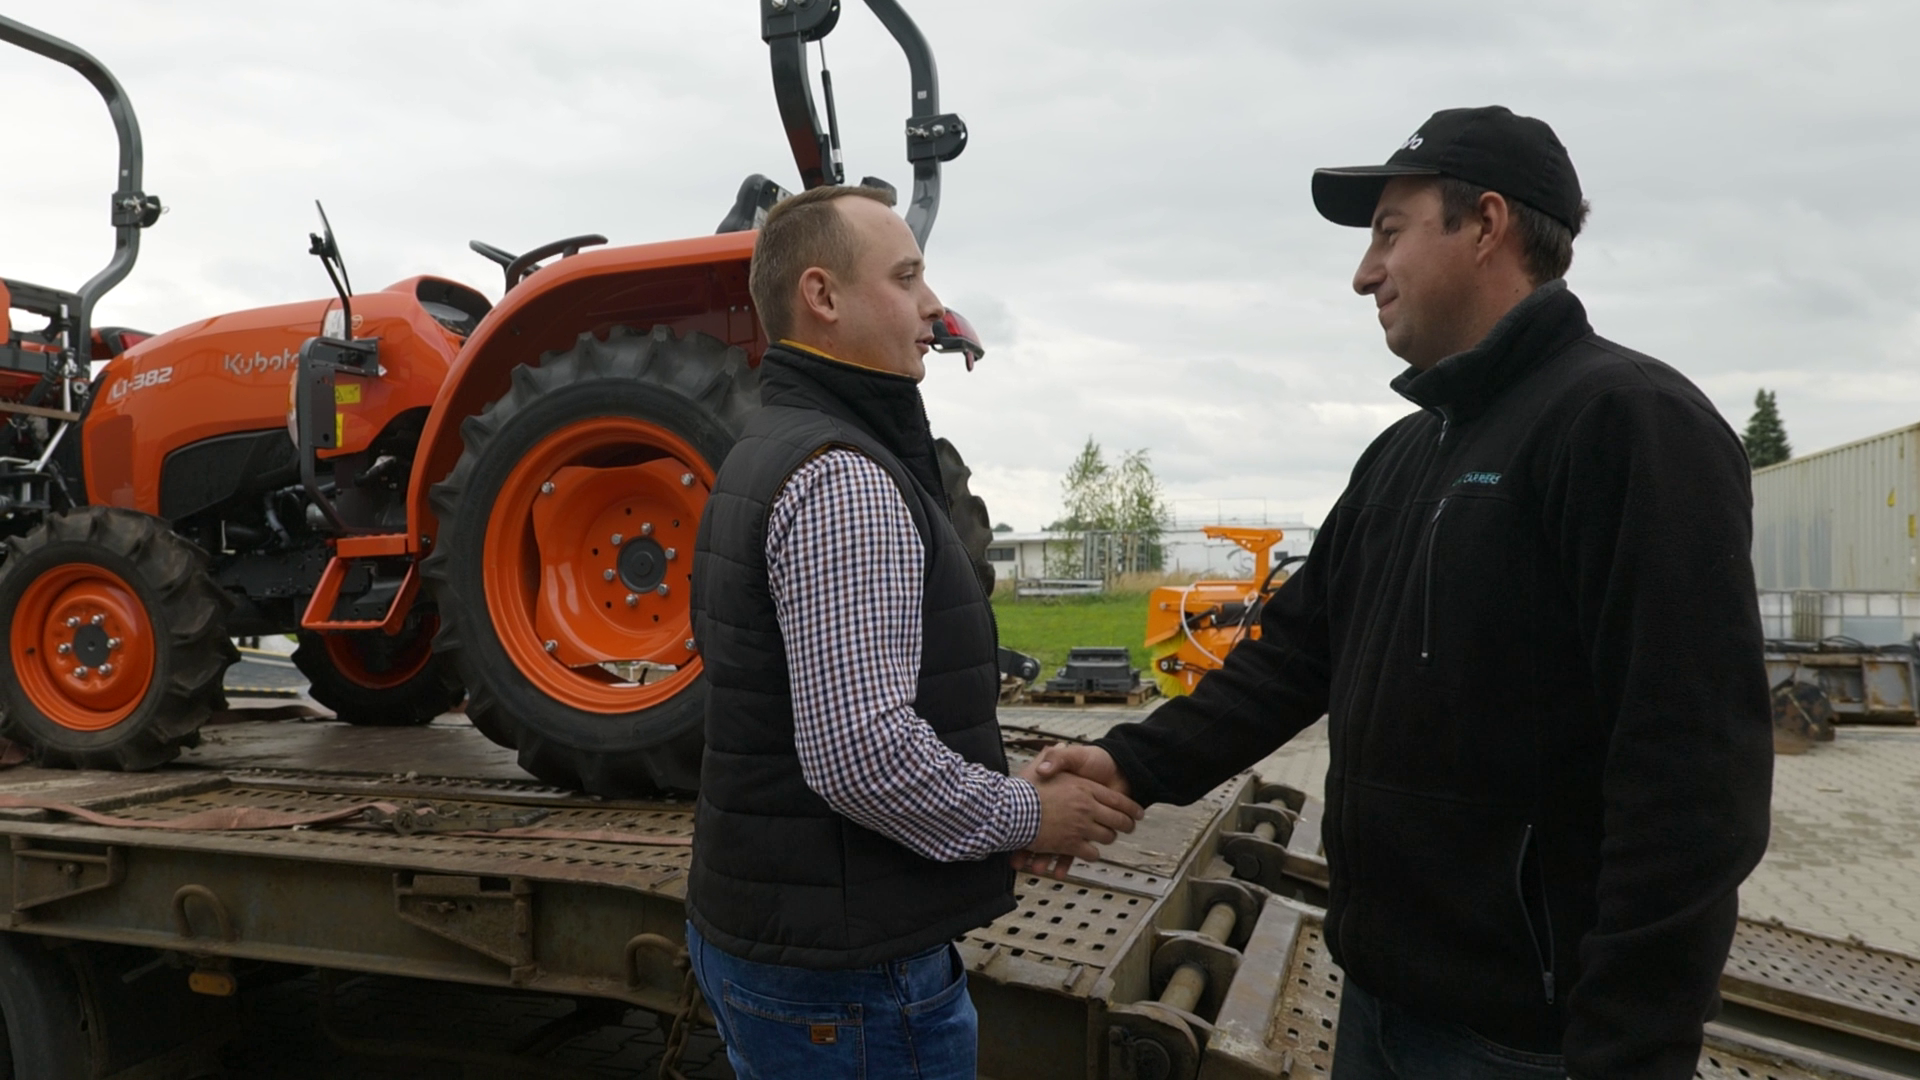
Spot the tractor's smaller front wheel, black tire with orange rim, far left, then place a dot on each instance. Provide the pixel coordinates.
(116, 641)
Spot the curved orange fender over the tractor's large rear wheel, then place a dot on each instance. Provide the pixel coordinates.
(692, 285)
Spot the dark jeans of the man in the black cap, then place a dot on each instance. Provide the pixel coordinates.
(1380, 1041)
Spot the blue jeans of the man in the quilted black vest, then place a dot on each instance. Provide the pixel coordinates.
(901, 1019)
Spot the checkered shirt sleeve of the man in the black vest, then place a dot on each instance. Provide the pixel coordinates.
(846, 568)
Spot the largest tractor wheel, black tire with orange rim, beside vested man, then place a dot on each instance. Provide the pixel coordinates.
(627, 435)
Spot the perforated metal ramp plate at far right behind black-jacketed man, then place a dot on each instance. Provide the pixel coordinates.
(1840, 985)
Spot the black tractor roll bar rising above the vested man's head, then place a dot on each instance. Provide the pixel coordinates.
(932, 137)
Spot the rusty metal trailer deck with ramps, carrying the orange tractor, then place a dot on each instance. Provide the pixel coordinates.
(1189, 952)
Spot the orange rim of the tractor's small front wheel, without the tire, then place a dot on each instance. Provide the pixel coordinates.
(84, 647)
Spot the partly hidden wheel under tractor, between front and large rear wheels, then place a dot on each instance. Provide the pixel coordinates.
(381, 681)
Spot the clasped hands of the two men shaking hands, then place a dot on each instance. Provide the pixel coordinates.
(1084, 802)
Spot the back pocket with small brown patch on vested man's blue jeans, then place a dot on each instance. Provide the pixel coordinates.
(794, 1039)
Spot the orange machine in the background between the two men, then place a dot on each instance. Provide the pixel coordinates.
(1191, 627)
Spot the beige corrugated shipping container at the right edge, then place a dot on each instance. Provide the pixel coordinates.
(1842, 520)
